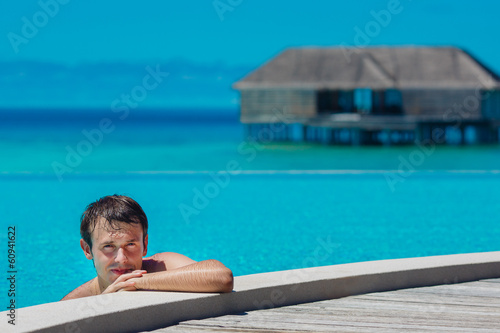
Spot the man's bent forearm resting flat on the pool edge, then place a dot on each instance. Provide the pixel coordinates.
(203, 276)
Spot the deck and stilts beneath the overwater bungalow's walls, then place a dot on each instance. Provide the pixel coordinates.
(358, 129)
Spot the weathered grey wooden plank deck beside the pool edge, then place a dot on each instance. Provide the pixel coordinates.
(462, 307)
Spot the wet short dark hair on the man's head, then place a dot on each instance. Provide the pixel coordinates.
(114, 209)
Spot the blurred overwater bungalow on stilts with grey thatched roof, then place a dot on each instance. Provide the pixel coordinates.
(372, 95)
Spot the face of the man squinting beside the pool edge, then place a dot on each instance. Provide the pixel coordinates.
(116, 251)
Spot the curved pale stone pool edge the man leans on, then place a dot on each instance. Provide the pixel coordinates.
(144, 311)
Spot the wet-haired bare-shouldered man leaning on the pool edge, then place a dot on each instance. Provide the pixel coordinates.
(114, 232)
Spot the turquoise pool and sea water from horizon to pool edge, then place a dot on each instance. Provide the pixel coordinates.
(257, 208)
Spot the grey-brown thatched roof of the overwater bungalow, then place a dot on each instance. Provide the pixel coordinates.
(374, 67)
